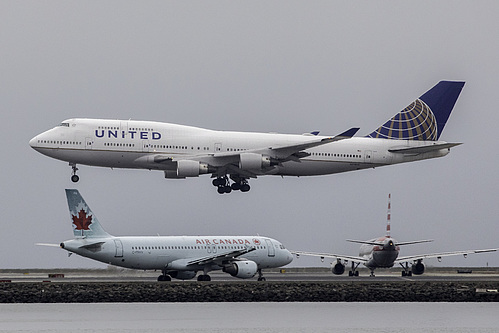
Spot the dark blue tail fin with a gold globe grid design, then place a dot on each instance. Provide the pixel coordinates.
(425, 118)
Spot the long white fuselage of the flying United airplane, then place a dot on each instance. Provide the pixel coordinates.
(134, 144)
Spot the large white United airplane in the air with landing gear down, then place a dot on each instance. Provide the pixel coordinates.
(234, 157)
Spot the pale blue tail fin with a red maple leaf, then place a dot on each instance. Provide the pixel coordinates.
(85, 223)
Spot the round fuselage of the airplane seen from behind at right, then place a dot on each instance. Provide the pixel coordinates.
(380, 256)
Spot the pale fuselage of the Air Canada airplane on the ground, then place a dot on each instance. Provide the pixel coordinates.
(174, 252)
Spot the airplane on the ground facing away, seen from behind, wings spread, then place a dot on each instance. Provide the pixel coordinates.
(383, 252)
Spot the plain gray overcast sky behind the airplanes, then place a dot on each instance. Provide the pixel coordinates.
(280, 66)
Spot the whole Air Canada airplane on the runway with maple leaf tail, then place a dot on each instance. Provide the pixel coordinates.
(179, 257)
